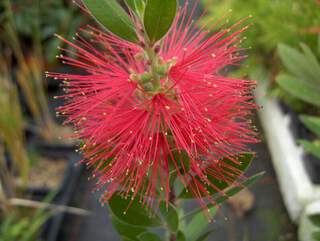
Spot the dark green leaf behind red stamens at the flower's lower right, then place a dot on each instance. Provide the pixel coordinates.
(243, 160)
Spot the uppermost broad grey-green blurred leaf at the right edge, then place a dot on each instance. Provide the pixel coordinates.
(302, 65)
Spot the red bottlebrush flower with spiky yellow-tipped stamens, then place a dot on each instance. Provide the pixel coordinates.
(137, 116)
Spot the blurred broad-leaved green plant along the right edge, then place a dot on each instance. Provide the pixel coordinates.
(302, 81)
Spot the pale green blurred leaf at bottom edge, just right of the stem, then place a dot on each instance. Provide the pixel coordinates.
(198, 224)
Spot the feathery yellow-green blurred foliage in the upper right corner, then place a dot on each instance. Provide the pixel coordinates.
(287, 21)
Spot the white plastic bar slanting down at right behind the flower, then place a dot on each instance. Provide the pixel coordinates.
(296, 186)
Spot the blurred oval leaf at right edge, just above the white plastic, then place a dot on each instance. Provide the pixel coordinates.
(300, 89)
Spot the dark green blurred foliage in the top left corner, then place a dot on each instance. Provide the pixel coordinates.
(35, 22)
